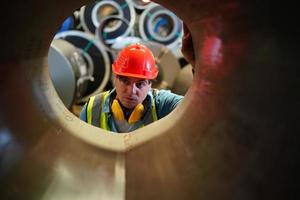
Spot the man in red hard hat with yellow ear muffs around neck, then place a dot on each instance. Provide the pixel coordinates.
(133, 103)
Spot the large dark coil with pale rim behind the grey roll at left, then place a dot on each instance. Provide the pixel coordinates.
(94, 54)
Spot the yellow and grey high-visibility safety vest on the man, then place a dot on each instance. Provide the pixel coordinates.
(96, 117)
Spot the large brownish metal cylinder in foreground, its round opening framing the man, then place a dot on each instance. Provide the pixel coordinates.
(231, 138)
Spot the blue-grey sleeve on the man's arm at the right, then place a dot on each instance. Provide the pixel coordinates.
(166, 101)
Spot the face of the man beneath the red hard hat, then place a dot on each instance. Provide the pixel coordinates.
(131, 91)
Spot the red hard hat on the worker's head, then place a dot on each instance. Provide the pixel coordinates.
(137, 61)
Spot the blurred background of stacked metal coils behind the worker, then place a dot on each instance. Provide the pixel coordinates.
(88, 41)
